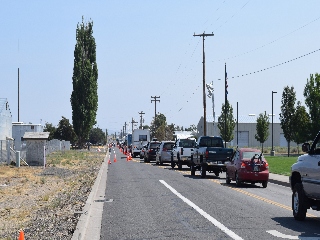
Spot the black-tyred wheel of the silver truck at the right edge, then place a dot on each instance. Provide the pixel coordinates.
(299, 202)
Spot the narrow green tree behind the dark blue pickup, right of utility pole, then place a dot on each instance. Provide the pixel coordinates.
(229, 120)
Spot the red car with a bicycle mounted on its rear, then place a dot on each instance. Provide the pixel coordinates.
(248, 165)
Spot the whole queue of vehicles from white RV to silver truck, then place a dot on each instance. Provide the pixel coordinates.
(242, 165)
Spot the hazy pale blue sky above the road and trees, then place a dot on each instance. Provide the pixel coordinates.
(147, 48)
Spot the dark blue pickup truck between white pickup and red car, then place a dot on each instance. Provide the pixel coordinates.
(210, 155)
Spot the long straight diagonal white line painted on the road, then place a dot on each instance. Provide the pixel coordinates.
(203, 213)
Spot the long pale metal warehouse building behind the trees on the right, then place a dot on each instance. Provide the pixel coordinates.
(246, 131)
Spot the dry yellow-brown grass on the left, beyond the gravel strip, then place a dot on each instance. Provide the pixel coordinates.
(25, 190)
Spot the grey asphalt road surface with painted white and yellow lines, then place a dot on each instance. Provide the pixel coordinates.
(147, 201)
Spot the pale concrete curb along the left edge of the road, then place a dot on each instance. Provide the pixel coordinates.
(89, 224)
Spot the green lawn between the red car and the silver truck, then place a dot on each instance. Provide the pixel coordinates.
(281, 164)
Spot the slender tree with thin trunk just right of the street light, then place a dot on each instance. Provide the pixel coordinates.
(287, 112)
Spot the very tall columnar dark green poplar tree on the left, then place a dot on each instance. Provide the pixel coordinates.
(84, 97)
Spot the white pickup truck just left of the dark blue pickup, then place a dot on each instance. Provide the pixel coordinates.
(182, 151)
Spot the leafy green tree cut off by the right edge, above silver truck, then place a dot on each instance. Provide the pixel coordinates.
(312, 100)
